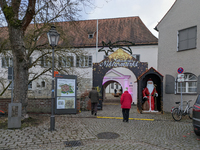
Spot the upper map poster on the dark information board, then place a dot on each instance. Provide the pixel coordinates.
(66, 87)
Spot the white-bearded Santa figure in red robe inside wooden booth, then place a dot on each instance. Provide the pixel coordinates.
(149, 93)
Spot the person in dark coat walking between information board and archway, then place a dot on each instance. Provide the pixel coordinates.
(94, 97)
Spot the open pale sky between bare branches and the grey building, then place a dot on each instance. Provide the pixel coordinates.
(149, 11)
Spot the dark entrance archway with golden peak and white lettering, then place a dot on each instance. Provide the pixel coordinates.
(117, 59)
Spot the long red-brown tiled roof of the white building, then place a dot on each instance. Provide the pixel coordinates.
(130, 29)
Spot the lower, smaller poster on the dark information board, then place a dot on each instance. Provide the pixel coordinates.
(65, 102)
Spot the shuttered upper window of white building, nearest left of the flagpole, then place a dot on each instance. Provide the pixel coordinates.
(84, 61)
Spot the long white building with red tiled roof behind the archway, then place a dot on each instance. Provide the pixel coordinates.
(98, 39)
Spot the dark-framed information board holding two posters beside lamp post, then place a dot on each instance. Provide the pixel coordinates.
(65, 94)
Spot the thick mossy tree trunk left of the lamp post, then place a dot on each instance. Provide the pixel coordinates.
(20, 63)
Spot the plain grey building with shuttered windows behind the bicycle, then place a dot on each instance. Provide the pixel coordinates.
(179, 47)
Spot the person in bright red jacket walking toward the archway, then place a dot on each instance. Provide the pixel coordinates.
(126, 101)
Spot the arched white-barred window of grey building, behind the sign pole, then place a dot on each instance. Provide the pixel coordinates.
(189, 85)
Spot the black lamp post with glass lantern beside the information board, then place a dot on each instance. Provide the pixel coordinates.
(53, 38)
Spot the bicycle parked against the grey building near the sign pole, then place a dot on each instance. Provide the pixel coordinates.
(177, 113)
